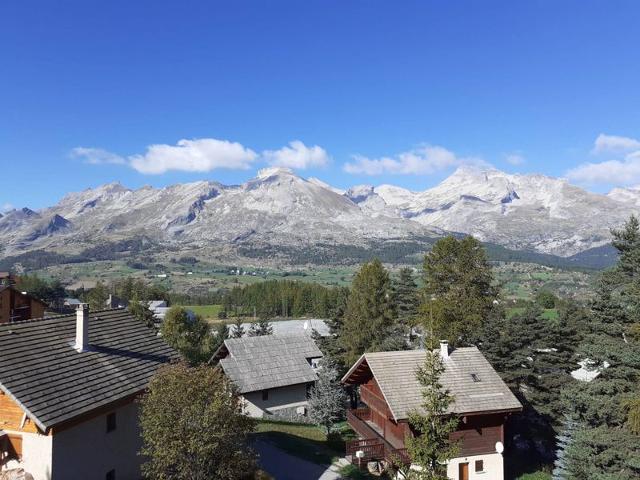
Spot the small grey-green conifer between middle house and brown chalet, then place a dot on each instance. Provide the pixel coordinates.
(327, 398)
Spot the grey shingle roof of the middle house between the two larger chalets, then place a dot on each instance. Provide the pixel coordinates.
(269, 361)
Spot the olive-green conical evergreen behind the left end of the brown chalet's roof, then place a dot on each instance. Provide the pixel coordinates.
(369, 316)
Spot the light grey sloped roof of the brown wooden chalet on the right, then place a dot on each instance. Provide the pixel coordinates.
(395, 373)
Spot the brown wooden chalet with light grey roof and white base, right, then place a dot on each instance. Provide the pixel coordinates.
(389, 391)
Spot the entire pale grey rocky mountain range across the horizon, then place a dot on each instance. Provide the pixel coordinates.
(279, 209)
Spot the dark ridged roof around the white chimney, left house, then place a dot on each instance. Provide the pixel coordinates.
(53, 383)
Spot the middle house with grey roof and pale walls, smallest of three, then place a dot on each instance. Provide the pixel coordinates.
(273, 373)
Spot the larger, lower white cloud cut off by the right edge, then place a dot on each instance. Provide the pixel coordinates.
(613, 172)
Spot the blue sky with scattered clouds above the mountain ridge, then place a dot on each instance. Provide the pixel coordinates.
(367, 91)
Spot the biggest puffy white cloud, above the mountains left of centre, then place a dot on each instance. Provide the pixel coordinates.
(200, 155)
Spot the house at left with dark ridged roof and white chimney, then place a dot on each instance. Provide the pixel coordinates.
(68, 386)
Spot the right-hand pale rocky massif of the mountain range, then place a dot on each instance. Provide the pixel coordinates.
(518, 211)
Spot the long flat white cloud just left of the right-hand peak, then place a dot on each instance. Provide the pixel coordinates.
(419, 161)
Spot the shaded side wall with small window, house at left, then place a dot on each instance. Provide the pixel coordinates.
(87, 452)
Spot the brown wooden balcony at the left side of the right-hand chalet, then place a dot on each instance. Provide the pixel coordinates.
(372, 443)
